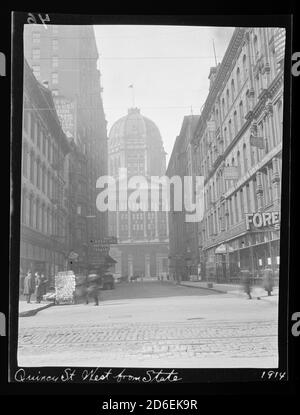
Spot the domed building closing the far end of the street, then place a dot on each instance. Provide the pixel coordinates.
(135, 143)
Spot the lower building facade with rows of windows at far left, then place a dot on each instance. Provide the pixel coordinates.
(44, 211)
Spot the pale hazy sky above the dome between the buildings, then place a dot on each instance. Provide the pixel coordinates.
(168, 67)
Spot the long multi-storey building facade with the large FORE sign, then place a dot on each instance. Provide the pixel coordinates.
(238, 147)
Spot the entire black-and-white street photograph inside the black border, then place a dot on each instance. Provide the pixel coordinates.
(151, 187)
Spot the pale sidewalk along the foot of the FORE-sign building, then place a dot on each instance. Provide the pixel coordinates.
(236, 289)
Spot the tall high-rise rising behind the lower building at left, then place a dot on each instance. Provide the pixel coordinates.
(65, 58)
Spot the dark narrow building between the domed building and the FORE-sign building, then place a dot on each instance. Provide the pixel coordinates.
(183, 237)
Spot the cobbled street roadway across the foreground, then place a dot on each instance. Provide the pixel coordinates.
(154, 324)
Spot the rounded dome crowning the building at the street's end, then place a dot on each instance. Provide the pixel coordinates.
(135, 126)
